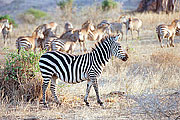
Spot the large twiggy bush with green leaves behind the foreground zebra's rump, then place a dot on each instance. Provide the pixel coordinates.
(19, 79)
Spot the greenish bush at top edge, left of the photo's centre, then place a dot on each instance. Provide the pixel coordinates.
(65, 4)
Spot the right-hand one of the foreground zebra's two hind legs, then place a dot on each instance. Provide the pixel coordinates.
(53, 88)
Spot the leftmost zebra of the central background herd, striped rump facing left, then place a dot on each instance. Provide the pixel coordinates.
(28, 42)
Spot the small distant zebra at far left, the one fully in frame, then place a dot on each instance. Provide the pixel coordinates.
(6, 31)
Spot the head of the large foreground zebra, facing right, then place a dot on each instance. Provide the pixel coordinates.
(117, 50)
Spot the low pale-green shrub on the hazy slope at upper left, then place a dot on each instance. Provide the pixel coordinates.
(36, 13)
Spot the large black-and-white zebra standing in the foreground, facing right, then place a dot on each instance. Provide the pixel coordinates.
(77, 68)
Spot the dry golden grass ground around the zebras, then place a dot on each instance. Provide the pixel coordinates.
(148, 84)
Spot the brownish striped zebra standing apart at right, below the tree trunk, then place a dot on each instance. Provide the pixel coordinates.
(167, 31)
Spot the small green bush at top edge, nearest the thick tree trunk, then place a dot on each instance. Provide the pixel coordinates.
(108, 4)
